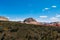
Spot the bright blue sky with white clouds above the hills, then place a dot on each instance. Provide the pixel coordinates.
(41, 10)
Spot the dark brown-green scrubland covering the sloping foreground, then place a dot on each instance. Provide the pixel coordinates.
(18, 31)
